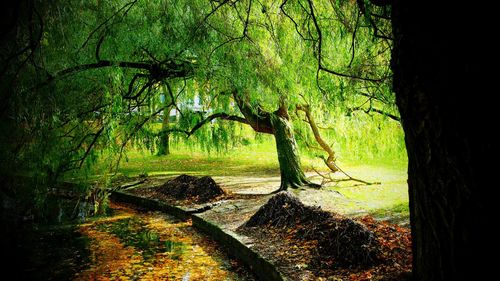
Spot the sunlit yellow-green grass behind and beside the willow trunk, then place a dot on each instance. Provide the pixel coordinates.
(386, 200)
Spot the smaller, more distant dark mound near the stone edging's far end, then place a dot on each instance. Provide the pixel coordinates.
(185, 187)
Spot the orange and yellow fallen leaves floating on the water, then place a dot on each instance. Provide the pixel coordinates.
(151, 246)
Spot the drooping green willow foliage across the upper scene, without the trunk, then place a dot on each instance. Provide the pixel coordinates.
(62, 123)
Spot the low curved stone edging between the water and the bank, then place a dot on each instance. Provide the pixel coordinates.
(262, 268)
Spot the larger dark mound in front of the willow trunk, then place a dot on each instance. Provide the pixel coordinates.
(341, 239)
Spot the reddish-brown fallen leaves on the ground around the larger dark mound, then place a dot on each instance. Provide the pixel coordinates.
(291, 253)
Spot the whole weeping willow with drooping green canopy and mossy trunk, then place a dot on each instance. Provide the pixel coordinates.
(80, 78)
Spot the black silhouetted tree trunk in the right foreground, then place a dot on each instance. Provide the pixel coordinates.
(441, 86)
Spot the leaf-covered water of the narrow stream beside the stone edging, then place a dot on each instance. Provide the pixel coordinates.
(133, 245)
